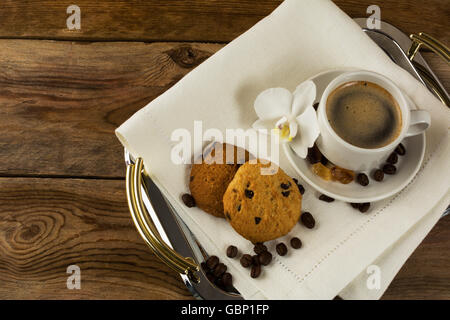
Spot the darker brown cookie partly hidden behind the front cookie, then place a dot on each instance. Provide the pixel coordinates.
(209, 179)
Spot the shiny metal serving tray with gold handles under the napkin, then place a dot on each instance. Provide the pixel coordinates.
(167, 235)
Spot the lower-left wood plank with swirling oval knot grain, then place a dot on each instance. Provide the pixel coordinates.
(48, 224)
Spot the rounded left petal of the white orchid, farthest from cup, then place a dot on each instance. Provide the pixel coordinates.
(273, 103)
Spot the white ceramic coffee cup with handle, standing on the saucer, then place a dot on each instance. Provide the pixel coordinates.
(348, 156)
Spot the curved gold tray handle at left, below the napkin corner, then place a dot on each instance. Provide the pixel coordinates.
(147, 229)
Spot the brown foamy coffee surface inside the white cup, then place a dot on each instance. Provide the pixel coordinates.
(364, 114)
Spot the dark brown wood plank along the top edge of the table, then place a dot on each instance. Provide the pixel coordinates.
(189, 20)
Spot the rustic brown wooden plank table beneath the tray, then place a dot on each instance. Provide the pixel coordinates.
(62, 94)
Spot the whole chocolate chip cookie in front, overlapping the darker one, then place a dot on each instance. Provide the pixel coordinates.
(262, 207)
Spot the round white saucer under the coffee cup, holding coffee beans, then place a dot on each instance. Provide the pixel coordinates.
(407, 166)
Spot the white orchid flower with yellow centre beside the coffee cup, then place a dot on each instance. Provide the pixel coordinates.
(292, 115)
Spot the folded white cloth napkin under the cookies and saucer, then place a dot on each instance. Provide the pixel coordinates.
(299, 39)
